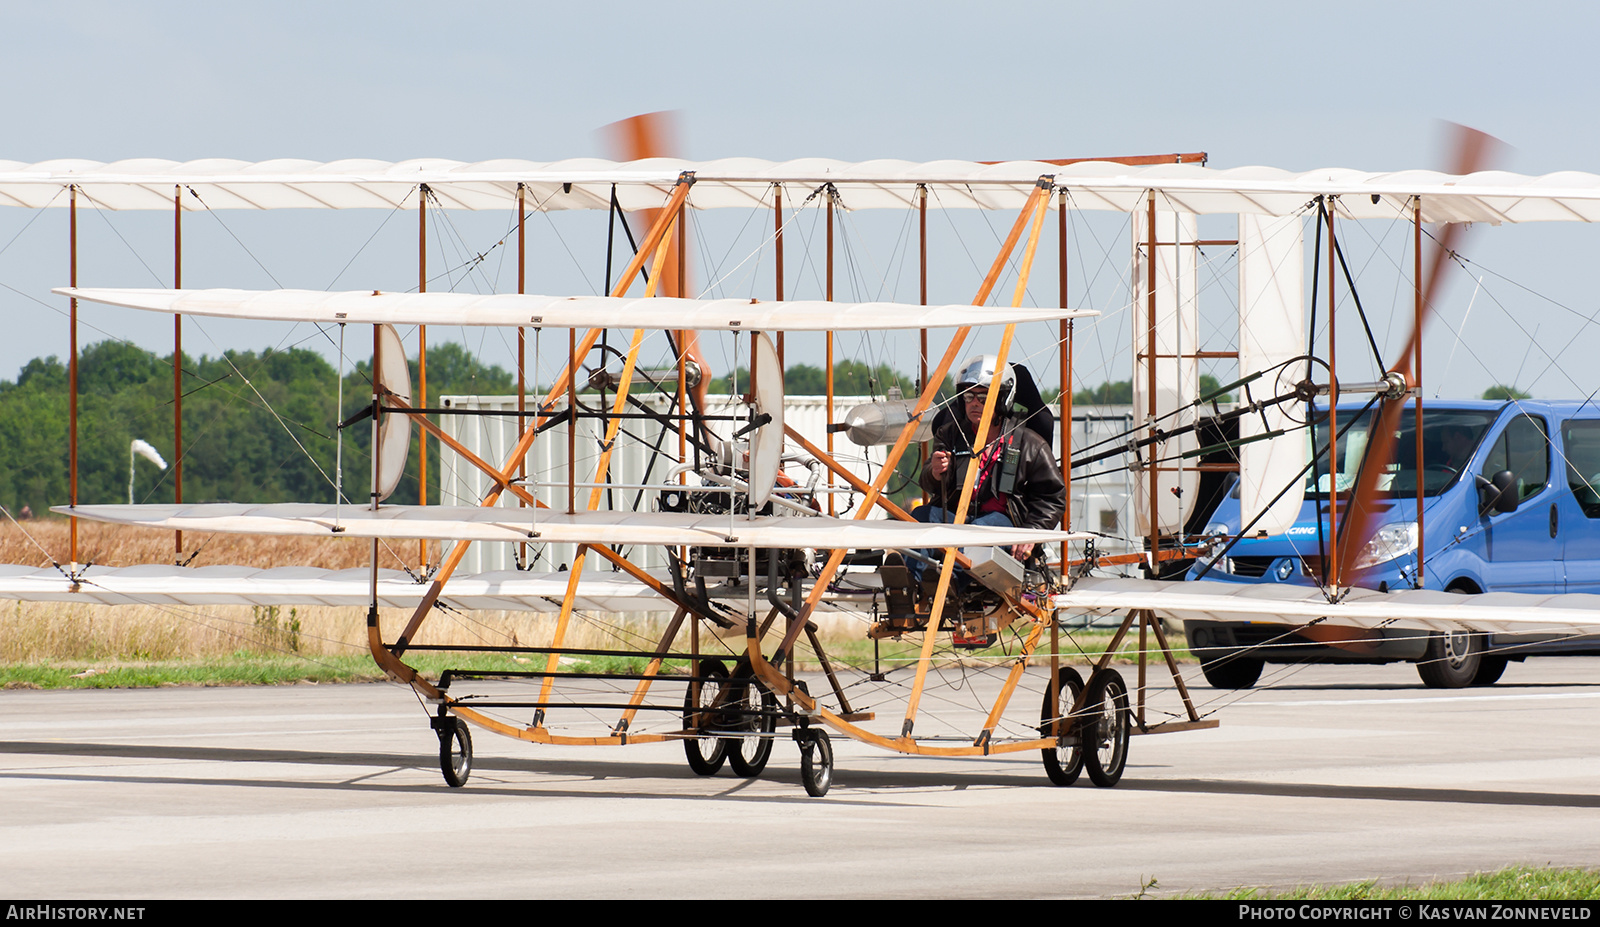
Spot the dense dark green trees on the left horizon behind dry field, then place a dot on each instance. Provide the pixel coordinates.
(257, 427)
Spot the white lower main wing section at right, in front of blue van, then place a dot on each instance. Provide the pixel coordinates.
(1284, 604)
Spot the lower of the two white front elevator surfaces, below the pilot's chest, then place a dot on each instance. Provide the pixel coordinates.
(506, 524)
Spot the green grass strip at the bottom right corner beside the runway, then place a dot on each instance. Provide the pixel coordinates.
(1511, 885)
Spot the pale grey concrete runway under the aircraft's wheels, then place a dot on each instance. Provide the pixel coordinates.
(1332, 774)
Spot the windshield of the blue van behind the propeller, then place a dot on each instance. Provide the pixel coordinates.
(1449, 441)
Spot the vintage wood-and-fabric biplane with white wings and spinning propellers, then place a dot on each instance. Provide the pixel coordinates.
(754, 555)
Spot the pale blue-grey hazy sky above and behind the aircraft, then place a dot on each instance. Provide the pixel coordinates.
(1298, 87)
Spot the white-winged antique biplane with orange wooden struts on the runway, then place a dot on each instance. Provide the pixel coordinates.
(746, 531)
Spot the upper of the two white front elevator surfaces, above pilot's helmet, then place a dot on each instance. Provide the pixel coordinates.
(372, 307)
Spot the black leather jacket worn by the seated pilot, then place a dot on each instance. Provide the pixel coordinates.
(1036, 502)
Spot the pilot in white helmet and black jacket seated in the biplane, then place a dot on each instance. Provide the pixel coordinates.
(1018, 483)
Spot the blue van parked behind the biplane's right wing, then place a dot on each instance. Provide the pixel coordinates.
(1511, 504)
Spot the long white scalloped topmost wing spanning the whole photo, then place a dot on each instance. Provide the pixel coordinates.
(748, 183)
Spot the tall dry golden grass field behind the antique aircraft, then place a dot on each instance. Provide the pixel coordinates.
(105, 638)
